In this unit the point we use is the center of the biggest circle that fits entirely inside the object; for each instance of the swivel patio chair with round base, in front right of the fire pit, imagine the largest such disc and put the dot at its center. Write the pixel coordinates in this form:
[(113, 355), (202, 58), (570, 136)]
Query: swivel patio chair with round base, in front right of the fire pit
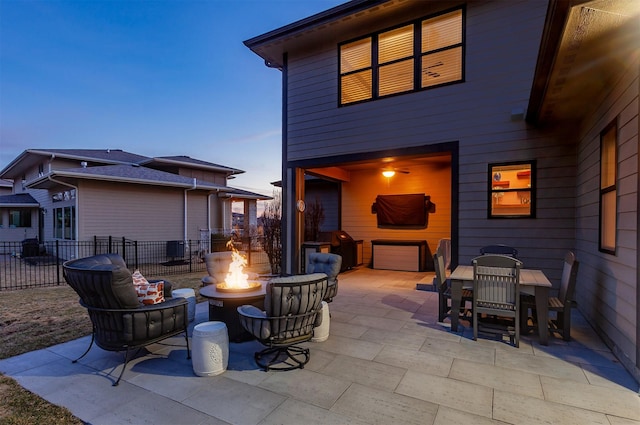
[(291, 308)]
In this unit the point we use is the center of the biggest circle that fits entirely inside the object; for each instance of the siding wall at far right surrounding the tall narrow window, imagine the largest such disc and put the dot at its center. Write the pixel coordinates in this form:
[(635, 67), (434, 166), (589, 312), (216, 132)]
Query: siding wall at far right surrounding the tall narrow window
[(607, 285)]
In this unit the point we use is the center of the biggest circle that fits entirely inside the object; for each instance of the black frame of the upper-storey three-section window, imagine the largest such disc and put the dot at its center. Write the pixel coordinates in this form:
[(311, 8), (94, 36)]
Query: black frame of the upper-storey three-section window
[(417, 58)]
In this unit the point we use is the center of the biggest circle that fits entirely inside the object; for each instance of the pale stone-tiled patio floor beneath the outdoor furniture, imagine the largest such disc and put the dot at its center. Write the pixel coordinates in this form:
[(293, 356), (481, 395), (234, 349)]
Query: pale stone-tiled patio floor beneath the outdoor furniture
[(387, 361)]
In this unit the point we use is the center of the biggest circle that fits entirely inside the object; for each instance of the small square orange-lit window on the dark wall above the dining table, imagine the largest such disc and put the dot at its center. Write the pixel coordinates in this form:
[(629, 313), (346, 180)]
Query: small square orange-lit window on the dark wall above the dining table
[(512, 190)]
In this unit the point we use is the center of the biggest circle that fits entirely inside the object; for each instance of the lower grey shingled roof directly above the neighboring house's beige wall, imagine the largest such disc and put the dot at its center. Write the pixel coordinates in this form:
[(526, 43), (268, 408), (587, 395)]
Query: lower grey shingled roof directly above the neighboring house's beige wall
[(123, 173)]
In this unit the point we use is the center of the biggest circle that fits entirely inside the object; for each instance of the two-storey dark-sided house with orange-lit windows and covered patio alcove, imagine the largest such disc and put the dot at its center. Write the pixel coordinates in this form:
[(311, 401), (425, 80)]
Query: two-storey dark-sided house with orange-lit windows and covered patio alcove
[(518, 118)]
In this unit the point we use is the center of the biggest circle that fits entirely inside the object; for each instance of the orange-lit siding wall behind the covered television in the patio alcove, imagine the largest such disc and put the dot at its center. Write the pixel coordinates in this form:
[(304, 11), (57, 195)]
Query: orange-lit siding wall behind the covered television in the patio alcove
[(360, 193)]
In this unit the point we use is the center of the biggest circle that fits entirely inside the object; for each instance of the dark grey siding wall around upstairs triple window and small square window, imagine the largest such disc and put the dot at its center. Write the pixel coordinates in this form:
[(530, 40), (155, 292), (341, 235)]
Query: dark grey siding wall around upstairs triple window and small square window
[(476, 113)]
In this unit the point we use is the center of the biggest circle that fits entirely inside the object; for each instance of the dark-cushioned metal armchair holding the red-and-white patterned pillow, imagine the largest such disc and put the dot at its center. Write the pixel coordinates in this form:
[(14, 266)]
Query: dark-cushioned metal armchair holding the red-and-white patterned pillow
[(120, 322)]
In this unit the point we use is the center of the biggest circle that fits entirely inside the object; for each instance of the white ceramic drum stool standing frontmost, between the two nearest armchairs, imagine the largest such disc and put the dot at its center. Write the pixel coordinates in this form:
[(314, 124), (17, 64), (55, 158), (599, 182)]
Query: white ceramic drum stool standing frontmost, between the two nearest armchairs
[(210, 351)]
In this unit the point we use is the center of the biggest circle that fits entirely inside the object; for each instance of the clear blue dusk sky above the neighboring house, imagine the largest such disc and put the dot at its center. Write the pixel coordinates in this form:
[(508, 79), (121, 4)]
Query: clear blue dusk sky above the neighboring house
[(155, 78)]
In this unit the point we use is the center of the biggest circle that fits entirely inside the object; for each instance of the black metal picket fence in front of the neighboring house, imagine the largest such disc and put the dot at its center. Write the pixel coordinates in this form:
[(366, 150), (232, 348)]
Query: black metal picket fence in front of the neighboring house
[(30, 264)]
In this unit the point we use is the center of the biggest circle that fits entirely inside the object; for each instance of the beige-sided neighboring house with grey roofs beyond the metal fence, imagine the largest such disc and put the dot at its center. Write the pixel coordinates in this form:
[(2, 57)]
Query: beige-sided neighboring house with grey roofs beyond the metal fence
[(76, 194)]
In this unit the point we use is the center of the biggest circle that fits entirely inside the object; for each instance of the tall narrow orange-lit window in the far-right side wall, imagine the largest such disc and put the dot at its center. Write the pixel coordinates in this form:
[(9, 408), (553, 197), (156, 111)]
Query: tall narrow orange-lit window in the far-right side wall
[(608, 192)]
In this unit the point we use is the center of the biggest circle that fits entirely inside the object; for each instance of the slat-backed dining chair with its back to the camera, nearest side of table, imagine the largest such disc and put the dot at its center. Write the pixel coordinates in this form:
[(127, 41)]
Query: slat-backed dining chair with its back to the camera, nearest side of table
[(496, 292)]
